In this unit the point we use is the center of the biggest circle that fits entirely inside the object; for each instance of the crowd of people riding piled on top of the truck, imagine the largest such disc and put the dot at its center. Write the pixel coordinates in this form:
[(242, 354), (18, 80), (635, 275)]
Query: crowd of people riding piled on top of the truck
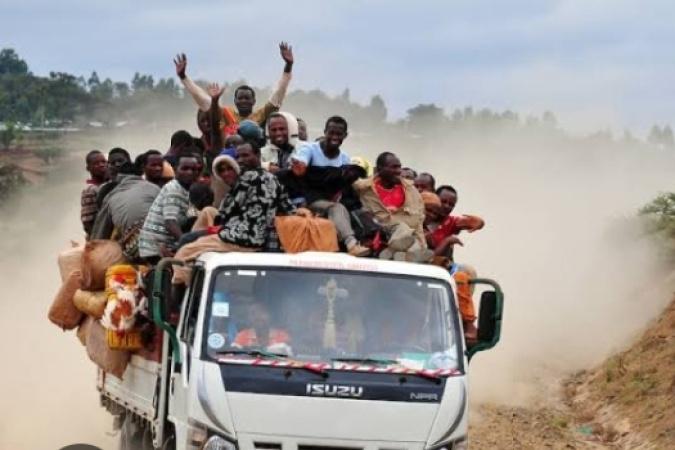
[(221, 191)]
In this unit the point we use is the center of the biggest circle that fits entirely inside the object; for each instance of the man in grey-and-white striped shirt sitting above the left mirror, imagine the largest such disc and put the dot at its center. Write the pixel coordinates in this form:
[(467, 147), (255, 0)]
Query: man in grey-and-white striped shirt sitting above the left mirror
[(161, 230)]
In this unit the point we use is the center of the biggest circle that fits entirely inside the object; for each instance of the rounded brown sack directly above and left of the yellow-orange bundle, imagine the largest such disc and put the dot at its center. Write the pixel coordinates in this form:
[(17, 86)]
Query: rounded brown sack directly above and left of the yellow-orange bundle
[(98, 255)]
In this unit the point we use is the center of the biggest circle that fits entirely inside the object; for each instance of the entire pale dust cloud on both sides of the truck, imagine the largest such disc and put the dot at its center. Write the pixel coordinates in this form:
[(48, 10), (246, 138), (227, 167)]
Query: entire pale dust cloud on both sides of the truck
[(580, 278)]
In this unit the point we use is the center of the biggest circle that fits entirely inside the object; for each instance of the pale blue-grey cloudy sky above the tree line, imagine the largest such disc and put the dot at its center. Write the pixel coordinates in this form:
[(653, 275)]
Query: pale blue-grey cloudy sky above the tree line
[(596, 64)]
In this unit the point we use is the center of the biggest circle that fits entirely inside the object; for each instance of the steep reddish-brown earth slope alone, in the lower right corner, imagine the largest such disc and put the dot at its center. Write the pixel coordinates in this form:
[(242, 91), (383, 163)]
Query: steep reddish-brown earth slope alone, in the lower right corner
[(632, 394)]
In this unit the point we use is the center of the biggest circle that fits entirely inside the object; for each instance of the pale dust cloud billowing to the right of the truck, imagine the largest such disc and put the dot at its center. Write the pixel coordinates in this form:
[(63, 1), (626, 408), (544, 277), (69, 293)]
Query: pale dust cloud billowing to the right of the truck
[(581, 279)]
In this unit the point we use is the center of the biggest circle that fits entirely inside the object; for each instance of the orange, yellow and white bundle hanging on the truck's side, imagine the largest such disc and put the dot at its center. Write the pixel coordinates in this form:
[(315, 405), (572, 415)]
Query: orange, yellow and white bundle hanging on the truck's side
[(125, 301)]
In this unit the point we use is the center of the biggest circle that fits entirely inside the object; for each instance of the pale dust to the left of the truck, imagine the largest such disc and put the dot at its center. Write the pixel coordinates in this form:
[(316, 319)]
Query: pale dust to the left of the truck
[(48, 384)]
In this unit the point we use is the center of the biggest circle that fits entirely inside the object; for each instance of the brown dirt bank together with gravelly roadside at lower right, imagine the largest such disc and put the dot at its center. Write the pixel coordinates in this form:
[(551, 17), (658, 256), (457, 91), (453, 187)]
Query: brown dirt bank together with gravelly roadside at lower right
[(627, 402)]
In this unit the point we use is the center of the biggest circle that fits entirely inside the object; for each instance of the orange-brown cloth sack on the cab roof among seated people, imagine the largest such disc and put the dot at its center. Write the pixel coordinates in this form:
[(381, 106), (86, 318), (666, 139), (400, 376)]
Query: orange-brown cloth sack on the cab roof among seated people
[(302, 233)]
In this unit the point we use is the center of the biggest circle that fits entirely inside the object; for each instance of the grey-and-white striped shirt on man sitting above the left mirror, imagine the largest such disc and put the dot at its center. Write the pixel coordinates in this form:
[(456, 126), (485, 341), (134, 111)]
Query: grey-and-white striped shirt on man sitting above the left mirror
[(171, 204)]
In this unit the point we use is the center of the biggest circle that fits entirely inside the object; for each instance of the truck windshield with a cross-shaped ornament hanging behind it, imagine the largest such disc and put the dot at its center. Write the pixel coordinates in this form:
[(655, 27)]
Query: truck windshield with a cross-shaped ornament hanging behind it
[(331, 318)]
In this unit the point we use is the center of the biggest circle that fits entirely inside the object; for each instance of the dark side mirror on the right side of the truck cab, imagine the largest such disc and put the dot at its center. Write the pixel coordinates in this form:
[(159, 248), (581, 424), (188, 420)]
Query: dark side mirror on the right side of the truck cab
[(489, 317)]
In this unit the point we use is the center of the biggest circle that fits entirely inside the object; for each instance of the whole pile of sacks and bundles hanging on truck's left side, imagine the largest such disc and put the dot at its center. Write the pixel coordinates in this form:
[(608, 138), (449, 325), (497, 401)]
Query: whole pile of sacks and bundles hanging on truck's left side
[(104, 298)]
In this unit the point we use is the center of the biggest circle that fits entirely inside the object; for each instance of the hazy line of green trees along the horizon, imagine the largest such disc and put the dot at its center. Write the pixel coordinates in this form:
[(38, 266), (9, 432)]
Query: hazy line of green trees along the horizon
[(64, 99)]
